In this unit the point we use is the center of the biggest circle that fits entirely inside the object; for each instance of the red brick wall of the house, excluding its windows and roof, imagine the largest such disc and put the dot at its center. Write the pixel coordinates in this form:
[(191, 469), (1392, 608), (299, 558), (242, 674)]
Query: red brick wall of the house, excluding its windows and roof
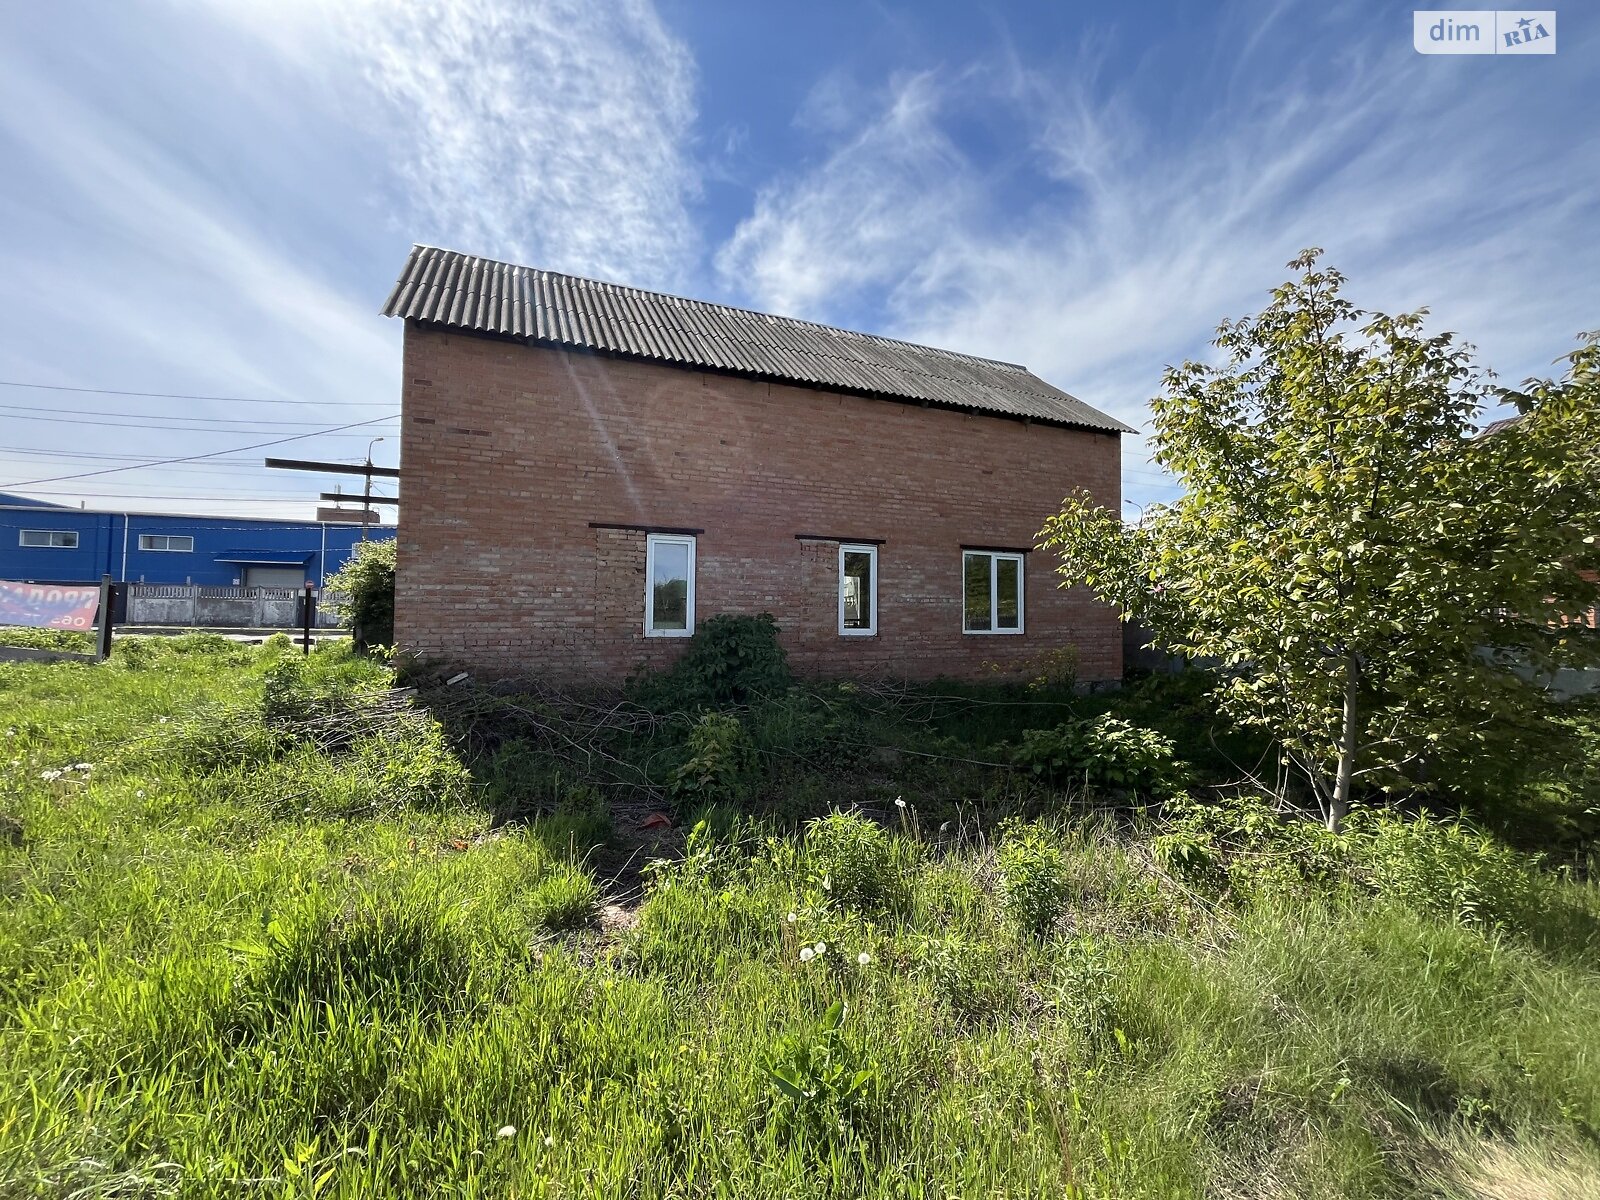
[(511, 454)]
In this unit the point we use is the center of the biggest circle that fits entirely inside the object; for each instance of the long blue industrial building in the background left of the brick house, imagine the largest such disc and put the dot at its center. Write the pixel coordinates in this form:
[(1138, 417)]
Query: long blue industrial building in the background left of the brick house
[(50, 543)]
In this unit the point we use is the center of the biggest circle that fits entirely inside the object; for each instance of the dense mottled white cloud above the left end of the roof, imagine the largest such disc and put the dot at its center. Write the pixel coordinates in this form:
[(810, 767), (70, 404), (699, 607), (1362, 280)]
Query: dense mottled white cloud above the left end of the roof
[(553, 134)]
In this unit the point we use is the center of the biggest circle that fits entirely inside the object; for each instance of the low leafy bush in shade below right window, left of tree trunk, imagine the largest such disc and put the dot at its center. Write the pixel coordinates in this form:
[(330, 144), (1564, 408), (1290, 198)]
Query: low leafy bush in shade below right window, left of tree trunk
[(1103, 753)]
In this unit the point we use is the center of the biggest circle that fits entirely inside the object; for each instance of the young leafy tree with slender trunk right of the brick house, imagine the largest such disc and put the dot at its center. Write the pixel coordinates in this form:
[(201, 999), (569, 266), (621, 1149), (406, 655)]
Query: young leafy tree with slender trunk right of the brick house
[(1382, 586)]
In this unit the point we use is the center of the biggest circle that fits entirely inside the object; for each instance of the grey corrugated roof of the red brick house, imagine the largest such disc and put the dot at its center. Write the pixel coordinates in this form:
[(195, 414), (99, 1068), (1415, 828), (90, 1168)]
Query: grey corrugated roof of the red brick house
[(463, 292)]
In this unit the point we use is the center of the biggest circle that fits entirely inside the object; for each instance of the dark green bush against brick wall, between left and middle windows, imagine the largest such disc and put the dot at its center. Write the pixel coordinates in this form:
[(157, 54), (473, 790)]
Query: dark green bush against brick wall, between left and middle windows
[(730, 660)]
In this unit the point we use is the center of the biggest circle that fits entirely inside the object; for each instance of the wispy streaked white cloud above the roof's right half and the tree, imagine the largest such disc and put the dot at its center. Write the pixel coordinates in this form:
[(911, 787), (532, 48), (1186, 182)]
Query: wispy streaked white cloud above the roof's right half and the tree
[(1430, 186)]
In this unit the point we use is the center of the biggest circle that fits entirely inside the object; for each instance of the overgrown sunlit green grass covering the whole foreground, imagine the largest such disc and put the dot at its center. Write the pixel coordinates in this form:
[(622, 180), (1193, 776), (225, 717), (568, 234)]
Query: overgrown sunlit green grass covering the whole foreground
[(238, 958)]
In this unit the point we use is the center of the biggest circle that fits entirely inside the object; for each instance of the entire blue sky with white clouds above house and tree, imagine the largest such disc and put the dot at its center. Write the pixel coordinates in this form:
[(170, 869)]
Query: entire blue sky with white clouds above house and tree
[(214, 198)]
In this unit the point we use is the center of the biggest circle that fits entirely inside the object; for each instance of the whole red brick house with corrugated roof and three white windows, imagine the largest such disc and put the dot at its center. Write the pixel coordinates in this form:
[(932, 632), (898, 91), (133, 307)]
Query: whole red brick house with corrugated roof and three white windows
[(591, 470)]
